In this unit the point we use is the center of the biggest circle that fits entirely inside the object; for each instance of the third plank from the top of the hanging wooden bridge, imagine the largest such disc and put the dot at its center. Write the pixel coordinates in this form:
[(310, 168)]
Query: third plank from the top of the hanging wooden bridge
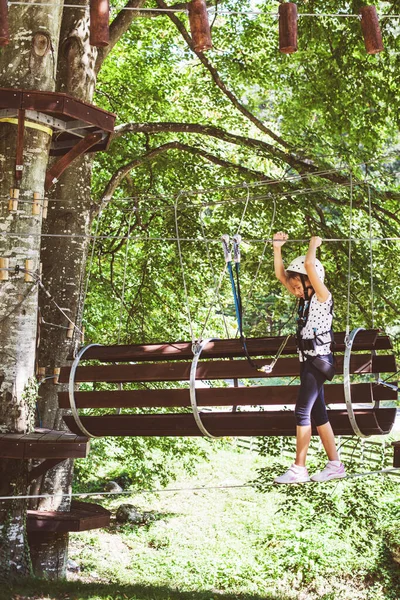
[(226, 396)]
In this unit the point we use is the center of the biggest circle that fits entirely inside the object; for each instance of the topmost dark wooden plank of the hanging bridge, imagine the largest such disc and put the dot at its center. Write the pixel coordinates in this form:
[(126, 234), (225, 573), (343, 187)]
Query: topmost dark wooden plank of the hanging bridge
[(266, 346)]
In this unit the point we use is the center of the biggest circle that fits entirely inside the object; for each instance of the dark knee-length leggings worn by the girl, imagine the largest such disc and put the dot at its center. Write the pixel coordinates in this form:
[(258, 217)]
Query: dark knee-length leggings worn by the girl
[(310, 401)]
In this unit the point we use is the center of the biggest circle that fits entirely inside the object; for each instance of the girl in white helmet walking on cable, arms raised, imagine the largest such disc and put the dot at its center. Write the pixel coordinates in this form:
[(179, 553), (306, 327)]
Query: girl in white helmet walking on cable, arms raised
[(304, 278)]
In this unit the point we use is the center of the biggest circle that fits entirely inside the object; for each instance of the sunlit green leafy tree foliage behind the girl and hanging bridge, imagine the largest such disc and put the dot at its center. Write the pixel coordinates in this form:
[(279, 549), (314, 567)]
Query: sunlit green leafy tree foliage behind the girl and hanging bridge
[(330, 105)]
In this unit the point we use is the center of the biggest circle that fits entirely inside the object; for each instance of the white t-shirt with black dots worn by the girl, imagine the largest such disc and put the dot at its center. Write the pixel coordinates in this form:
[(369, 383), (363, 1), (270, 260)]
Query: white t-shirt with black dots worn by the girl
[(319, 321)]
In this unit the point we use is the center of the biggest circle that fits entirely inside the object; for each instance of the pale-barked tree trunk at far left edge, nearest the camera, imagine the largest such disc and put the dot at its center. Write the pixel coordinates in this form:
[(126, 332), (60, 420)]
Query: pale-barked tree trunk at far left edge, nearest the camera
[(27, 63)]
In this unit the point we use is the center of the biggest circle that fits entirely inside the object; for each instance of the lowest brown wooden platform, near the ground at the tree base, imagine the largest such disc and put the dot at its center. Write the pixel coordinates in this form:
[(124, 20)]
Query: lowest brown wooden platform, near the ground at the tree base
[(82, 517)]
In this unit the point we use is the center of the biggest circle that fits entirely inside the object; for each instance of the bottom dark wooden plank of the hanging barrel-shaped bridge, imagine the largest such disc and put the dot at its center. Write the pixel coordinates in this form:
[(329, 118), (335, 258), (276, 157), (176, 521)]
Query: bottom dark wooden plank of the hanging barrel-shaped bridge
[(266, 423)]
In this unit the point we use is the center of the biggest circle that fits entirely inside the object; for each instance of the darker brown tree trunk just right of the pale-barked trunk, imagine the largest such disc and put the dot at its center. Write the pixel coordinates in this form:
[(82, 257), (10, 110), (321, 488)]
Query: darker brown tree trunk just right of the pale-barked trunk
[(64, 263)]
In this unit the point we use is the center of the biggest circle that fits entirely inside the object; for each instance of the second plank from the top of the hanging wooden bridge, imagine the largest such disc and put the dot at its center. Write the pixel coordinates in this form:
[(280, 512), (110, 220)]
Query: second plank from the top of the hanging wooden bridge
[(217, 369)]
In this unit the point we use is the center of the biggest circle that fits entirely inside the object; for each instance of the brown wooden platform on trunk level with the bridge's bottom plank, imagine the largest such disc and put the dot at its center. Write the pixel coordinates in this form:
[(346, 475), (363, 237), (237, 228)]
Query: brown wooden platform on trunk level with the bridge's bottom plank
[(44, 443)]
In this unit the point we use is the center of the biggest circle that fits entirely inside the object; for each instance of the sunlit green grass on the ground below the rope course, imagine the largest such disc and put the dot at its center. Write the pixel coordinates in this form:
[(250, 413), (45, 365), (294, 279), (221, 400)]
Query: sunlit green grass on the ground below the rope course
[(230, 543)]
